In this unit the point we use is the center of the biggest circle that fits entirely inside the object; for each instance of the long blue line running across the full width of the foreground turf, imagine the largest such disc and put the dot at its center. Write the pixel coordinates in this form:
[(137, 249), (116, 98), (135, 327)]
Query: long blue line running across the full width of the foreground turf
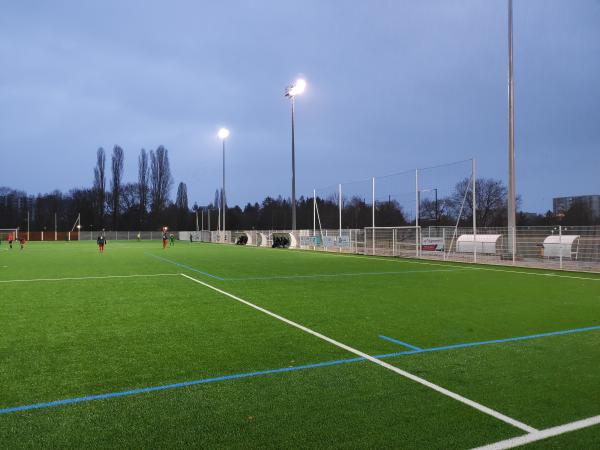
[(280, 370)]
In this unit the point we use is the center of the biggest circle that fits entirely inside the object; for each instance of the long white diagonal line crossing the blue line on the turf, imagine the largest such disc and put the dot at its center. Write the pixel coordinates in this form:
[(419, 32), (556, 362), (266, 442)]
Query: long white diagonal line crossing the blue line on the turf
[(408, 375)]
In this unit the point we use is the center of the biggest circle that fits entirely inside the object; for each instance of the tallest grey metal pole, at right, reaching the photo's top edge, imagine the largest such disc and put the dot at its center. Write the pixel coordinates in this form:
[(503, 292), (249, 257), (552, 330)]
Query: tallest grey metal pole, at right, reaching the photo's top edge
[(512, 215)]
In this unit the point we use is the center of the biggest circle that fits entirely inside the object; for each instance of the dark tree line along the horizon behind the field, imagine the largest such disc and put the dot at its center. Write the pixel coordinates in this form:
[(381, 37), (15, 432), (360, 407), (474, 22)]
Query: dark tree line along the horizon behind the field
[(146, 204)]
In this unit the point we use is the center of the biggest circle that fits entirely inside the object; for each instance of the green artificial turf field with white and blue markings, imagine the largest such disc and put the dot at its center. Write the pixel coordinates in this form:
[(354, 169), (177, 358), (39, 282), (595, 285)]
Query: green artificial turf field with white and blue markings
[(121, 350)]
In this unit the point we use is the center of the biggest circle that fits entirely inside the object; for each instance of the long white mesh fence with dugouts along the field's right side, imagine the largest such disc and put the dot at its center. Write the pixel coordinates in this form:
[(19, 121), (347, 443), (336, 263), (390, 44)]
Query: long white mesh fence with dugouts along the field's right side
[(552, 247)]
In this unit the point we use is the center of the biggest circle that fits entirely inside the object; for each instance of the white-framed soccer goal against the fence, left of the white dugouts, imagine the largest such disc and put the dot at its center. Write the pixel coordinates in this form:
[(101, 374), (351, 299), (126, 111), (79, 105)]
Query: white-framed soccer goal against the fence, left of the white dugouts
[(392, 241)]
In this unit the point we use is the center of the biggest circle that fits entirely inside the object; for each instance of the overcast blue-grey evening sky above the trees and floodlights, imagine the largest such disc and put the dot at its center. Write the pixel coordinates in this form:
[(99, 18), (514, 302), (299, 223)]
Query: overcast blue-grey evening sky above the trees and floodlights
[(392, 85)]
